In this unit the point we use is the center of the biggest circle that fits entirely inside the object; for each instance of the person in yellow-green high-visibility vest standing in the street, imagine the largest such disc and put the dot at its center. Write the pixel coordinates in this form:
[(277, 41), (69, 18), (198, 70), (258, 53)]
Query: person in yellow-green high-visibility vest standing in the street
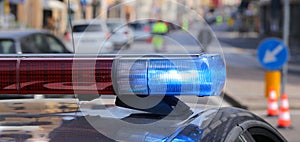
[(159, 29)]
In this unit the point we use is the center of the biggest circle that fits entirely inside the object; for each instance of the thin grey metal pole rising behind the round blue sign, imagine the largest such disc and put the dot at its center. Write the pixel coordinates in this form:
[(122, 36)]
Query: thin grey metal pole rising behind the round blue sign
[(286, 33)]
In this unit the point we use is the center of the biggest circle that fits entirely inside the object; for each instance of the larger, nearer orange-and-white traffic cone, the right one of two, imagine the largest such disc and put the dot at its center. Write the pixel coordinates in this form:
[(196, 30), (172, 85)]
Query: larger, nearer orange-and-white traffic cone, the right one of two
[(284, 119)]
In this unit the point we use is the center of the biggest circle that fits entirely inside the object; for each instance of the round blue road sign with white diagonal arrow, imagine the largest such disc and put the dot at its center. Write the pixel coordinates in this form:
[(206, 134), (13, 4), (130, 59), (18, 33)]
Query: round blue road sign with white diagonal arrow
[(272, 54)]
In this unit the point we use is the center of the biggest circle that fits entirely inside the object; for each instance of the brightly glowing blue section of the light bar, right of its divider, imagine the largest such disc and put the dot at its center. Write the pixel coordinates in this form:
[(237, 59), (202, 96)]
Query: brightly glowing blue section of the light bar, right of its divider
[(177, 76)]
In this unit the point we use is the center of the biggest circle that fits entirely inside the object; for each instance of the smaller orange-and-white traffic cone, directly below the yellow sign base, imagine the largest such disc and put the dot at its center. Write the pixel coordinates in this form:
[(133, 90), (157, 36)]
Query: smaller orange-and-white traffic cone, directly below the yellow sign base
[(272, 109)]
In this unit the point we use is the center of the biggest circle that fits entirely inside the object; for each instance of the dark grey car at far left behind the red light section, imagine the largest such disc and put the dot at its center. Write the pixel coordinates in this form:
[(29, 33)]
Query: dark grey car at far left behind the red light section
[(30, 41)]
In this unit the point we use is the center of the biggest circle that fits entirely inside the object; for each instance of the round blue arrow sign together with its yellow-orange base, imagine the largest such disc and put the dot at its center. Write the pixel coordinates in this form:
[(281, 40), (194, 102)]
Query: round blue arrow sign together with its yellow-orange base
[(273, 55)]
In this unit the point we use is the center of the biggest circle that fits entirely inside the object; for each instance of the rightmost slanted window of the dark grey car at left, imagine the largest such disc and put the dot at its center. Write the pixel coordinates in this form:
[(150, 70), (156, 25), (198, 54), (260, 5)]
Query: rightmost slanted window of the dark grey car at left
[(54, 45)]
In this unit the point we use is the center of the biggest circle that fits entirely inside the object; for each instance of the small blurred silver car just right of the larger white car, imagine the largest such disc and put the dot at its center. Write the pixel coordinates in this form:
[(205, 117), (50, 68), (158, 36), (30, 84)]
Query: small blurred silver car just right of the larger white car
[(121, 33)]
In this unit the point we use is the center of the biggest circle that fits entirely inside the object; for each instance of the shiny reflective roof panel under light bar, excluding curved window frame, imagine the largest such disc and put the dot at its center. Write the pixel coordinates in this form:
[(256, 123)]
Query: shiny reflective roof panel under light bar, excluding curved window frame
[(71, 120)]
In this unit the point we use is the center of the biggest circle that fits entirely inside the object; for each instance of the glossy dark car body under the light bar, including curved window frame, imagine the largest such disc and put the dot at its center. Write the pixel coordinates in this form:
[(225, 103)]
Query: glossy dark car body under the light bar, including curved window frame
[(62, 120)]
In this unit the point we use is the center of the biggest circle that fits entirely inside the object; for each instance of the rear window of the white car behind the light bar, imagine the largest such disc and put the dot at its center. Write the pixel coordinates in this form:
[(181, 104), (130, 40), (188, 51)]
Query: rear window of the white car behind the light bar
[(87, 28)]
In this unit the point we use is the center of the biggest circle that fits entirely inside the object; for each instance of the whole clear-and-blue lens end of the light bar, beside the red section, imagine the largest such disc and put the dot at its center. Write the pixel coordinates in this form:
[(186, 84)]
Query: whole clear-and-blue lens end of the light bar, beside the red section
[(200, 76)]
